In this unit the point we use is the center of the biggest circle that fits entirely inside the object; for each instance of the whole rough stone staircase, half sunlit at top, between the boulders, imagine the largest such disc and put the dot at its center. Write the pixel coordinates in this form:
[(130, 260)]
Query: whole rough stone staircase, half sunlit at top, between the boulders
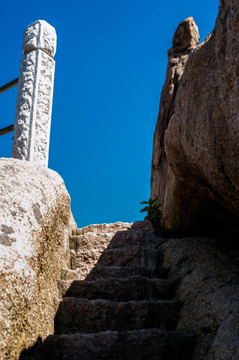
[(121, 305)]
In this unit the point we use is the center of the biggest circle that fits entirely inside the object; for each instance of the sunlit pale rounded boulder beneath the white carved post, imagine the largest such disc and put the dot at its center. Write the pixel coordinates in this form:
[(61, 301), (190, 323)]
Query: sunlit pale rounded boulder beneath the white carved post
[(35, 221)]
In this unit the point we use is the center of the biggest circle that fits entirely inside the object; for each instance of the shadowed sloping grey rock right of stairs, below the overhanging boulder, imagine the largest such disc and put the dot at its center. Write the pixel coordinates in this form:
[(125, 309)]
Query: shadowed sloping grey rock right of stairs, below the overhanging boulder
[(208, 272)]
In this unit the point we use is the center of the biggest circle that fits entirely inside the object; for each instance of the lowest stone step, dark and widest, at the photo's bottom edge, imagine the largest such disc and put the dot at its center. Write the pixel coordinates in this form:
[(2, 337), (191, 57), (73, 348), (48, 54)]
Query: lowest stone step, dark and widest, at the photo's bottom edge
[(150, 344)]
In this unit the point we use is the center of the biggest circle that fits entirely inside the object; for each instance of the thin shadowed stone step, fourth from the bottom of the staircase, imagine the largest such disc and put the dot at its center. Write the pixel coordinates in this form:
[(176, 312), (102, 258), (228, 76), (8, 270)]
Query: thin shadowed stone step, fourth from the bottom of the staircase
[(123, 272)]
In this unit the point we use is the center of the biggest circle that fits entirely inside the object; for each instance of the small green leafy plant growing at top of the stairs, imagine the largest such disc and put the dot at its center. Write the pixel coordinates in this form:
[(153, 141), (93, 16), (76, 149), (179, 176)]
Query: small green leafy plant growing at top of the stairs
[(154, 213)]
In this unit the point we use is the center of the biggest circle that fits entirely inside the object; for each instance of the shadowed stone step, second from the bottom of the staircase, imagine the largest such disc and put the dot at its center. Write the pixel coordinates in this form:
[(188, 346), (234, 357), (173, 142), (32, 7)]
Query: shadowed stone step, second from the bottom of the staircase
[(83, 315)]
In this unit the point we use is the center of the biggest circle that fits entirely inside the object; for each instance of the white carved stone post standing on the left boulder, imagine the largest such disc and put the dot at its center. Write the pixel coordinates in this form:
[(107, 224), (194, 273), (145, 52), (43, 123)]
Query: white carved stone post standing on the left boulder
[(35, 91)]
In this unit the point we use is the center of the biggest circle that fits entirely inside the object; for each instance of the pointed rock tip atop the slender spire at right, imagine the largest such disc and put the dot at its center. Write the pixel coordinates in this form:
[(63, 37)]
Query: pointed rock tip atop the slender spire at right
[(186, 35)]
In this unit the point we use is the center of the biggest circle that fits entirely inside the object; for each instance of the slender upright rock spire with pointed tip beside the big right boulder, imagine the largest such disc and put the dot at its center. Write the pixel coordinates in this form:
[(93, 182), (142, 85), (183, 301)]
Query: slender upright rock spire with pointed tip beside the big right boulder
[(185, 39)]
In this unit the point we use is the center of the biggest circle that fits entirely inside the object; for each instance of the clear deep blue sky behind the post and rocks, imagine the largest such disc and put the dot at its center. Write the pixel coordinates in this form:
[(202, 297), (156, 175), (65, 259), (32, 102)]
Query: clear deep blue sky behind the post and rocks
[(111, 63)]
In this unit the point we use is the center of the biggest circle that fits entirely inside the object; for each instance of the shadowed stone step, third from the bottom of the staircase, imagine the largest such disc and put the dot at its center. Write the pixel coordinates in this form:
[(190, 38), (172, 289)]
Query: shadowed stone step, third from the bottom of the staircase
[(117, 289)]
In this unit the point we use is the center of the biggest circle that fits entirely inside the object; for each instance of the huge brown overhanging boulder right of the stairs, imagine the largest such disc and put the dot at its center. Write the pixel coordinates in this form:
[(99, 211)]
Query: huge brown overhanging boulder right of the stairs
[(195, 166)]
